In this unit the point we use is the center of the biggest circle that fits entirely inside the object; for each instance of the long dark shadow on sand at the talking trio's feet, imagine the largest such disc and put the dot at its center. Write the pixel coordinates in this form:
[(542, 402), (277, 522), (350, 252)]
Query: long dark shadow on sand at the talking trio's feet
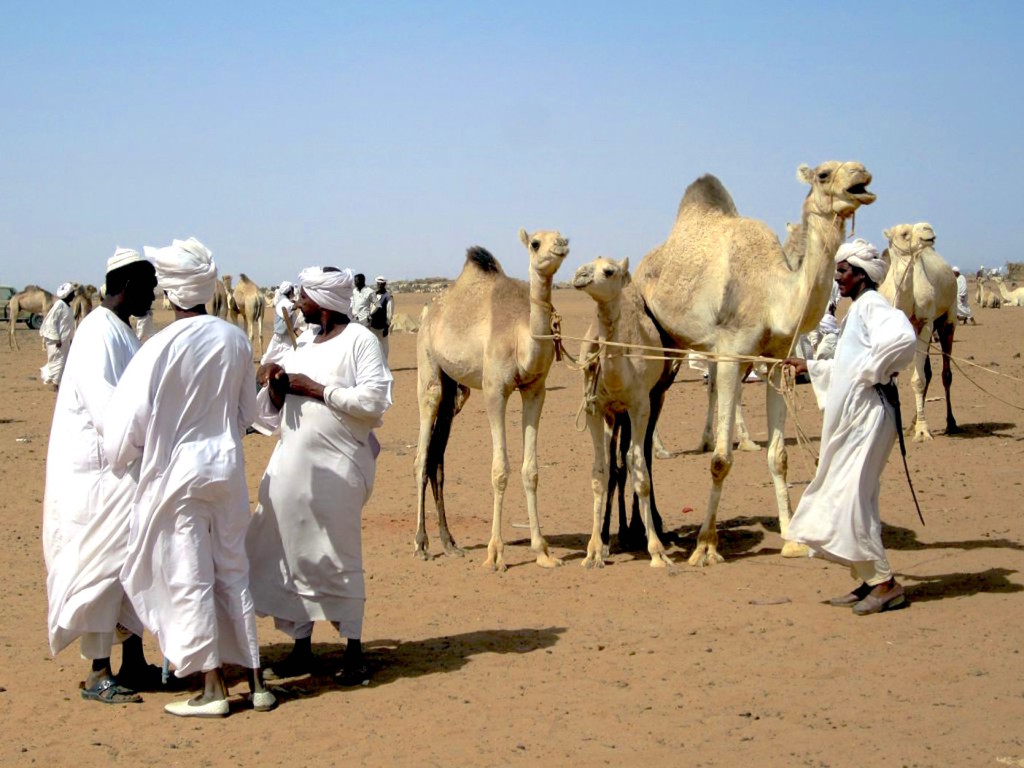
[(394, 660)]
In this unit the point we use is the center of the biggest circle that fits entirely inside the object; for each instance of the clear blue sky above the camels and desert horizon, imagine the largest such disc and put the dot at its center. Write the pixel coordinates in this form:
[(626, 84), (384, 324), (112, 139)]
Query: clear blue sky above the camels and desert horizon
[(391, 137)]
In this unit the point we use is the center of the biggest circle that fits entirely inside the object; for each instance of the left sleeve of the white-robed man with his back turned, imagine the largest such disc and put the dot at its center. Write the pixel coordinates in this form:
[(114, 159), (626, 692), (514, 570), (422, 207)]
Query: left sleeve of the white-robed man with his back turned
[(127, 416)]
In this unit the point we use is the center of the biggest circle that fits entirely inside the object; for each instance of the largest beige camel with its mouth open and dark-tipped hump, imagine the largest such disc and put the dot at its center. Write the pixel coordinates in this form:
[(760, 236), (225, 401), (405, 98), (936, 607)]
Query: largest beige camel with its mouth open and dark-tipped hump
[(721, 284)]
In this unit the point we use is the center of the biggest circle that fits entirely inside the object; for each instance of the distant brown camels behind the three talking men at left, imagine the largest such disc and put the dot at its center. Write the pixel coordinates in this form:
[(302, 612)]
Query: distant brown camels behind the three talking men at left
[(244, 302)]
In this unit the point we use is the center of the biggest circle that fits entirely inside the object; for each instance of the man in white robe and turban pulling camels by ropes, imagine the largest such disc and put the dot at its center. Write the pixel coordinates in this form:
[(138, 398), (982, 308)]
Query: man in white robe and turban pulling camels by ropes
[(838, 517)]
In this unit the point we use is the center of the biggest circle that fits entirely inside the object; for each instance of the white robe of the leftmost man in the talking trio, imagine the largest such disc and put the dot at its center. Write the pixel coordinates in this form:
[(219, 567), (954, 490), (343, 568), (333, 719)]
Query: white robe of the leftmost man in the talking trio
[(87, 508)]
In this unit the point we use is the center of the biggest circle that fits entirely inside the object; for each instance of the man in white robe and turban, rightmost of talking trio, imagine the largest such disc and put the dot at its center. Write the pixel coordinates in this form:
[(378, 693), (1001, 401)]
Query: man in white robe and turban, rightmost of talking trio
[(306, 541)]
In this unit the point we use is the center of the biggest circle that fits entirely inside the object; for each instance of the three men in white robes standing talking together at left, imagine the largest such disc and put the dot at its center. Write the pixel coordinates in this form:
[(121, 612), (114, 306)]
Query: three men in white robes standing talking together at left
[(147, 518)]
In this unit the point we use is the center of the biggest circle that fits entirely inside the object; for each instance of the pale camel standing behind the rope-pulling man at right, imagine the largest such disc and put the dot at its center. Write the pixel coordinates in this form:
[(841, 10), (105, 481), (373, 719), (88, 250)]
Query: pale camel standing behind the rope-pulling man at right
[(927, 295)]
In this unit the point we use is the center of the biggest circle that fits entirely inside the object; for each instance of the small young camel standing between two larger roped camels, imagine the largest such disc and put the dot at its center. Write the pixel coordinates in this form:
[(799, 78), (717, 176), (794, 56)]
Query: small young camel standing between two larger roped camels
[(616, 383)]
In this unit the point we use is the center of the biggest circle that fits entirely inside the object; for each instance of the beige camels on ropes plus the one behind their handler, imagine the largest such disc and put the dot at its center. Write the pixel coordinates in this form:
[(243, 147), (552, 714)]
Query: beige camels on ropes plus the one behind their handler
[(721, 285)]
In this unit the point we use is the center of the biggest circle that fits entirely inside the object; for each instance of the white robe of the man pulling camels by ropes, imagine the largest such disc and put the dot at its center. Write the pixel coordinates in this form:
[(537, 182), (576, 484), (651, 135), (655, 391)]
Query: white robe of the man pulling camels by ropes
[(838, 516)]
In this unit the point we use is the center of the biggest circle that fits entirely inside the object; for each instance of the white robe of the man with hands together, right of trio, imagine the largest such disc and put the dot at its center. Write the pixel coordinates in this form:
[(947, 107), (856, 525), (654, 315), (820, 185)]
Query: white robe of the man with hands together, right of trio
[(306, 540)]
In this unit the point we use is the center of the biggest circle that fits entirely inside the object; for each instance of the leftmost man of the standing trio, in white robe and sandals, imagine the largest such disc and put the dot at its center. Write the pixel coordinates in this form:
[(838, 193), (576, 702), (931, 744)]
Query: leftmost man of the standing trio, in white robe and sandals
[(86, 508)]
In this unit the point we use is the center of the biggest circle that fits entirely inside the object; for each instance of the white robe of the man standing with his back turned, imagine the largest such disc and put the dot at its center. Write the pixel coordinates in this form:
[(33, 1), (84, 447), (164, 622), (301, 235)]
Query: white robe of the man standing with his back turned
[(181, 411)]
